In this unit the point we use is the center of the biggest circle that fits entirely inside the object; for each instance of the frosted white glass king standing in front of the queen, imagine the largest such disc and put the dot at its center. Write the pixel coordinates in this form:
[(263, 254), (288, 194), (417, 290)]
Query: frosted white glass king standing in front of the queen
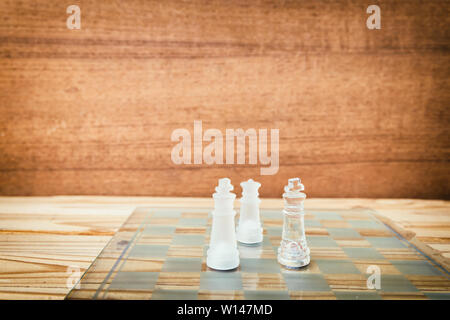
[(223, 253)]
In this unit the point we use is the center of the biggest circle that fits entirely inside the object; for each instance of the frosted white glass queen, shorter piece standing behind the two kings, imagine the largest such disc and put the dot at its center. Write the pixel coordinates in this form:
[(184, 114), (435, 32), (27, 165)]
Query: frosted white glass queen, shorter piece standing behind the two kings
[(249, 230)]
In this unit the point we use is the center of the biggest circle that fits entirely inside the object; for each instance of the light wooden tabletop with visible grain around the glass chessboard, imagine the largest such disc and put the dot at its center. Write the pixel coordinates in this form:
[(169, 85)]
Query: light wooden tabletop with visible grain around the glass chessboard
[(40, 237)]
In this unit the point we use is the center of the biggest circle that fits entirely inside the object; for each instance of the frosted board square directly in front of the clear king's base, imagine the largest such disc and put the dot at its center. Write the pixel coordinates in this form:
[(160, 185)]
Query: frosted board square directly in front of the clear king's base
[(306, 282)]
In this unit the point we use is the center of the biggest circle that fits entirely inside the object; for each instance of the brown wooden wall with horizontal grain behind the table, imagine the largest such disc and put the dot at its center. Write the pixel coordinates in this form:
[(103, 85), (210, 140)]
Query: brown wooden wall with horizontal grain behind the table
[(361, 113)]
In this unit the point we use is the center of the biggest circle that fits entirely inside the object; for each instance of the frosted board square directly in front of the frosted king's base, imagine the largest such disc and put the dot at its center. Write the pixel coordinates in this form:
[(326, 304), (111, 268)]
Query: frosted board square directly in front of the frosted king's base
[(220, 280)]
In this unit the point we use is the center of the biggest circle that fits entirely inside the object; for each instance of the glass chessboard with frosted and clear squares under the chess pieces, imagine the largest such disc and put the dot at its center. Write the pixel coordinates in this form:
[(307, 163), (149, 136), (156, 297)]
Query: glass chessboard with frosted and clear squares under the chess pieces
[(161, 254)]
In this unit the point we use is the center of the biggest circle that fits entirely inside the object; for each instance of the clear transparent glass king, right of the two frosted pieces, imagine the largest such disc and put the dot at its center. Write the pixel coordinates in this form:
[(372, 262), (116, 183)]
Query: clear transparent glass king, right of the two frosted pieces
[(293, 251)]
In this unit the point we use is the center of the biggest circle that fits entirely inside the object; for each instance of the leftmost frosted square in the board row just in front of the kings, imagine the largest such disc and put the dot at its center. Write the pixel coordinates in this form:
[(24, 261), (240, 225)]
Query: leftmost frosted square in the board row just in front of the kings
[(134, 281)]
